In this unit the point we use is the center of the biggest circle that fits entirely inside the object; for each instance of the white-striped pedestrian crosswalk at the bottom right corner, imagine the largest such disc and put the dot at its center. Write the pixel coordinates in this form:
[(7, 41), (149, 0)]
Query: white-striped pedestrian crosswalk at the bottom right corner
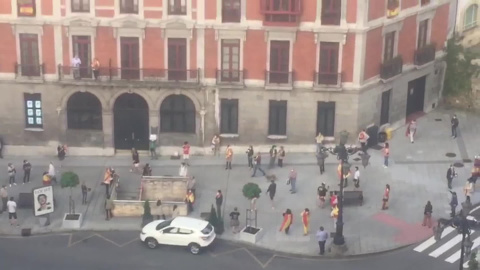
[(448, 248)]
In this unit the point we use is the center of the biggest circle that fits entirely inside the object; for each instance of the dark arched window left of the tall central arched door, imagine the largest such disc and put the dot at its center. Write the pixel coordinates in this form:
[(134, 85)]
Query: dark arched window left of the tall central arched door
[(84, 112)]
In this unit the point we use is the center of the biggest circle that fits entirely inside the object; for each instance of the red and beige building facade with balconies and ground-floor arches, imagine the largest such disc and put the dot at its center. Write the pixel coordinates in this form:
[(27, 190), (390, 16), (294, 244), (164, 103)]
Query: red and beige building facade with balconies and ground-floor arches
[(257, 72)]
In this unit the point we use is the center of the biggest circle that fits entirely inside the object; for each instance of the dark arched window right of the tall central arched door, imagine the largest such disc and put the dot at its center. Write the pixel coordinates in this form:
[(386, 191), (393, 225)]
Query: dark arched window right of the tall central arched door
[(177, 114)]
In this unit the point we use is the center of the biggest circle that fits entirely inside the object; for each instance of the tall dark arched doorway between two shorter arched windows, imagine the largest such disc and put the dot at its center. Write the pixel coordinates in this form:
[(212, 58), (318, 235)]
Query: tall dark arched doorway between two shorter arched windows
[(130, 114)]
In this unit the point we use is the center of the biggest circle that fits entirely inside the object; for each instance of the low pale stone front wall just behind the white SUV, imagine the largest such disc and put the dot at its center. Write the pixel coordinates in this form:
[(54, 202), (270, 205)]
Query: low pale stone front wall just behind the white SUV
[(135, 208)]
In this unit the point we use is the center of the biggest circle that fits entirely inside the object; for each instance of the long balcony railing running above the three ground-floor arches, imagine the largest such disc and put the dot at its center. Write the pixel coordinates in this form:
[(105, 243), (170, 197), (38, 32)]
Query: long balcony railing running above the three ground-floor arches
[(110, 74)]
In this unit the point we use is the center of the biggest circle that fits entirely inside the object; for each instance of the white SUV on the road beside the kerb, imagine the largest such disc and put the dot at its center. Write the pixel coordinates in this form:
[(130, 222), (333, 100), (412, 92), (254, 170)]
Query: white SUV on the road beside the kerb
[(180, 231)]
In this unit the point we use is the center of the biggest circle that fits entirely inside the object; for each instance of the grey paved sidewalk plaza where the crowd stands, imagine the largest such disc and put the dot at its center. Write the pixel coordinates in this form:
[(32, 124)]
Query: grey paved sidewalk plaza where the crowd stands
[(416, 175)]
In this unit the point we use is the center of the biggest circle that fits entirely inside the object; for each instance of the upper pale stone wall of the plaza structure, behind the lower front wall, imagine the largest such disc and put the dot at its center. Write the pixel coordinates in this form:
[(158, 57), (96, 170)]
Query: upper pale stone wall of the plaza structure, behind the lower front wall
[(164, 188)]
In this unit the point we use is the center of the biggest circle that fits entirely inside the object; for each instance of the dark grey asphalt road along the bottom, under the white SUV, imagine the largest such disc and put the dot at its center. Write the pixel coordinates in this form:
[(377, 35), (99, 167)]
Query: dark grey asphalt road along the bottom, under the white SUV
[(124, 251)]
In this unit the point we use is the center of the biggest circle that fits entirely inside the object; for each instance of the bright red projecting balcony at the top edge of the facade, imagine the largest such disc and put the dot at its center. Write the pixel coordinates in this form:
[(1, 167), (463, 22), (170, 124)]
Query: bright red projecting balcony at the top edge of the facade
[(285, 12)]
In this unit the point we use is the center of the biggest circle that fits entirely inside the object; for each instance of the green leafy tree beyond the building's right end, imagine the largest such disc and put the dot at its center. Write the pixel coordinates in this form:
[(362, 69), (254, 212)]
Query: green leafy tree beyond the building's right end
[(460, 69)]
